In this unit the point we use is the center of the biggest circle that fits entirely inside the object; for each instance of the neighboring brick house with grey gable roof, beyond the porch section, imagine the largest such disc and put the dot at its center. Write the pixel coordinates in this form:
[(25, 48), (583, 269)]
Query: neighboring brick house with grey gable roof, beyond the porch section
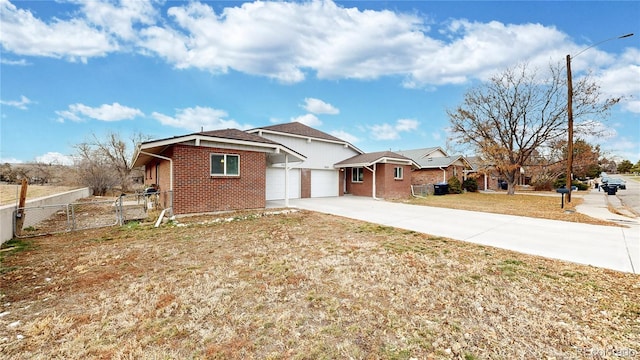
[(435, 166)]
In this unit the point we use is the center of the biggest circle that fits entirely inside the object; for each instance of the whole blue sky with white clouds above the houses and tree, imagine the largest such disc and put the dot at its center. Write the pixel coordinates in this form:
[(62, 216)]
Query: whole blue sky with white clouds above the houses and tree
[(379, 74)]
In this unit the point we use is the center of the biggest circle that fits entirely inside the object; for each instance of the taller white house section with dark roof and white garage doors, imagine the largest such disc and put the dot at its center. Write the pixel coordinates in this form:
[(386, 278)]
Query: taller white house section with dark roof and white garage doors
[(316, 176)]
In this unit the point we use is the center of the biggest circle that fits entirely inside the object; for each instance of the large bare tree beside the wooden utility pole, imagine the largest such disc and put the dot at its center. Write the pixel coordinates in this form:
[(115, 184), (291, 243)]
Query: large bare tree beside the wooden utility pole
[(518, 112)]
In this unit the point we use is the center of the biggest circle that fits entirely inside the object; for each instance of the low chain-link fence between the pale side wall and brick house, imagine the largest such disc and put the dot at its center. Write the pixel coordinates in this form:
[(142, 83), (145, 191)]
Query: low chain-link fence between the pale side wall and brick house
[(88, 214)]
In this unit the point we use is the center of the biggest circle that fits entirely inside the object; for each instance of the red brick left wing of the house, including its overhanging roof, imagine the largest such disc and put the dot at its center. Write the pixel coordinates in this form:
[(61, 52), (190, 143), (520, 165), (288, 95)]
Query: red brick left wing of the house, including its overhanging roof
[(212, 170)]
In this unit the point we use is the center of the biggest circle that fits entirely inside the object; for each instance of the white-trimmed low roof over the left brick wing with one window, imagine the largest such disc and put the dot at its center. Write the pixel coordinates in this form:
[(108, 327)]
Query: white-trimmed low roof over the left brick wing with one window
[(230, 137)]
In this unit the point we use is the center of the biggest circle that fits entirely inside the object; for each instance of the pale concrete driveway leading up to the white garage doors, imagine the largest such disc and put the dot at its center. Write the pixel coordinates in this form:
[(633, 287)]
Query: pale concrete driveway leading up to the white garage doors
[(608, 247)]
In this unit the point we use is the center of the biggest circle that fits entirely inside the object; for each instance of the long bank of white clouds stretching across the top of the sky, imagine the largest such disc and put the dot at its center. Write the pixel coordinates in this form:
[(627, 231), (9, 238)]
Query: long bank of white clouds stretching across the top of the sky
[(287, 41)]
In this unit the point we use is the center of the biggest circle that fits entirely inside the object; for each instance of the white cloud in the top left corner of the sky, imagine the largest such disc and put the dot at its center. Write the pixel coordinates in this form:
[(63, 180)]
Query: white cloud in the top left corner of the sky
[(24, 34)]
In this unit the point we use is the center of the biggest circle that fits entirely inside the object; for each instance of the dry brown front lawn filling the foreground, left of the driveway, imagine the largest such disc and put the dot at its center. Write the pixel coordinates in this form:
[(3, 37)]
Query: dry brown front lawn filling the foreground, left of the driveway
[(303, 285)]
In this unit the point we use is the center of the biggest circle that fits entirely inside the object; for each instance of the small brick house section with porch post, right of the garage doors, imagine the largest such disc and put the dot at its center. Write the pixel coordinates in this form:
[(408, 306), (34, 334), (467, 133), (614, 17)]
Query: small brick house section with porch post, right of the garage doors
[(380, 175)]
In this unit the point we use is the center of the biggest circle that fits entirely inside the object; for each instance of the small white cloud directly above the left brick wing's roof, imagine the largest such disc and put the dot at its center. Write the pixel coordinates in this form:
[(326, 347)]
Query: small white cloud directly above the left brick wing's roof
[(199, 118)]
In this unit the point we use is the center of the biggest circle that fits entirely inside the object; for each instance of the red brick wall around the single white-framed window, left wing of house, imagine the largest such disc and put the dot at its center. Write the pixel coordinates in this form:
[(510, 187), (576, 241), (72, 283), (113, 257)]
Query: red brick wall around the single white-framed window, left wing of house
[(195, 190)]
